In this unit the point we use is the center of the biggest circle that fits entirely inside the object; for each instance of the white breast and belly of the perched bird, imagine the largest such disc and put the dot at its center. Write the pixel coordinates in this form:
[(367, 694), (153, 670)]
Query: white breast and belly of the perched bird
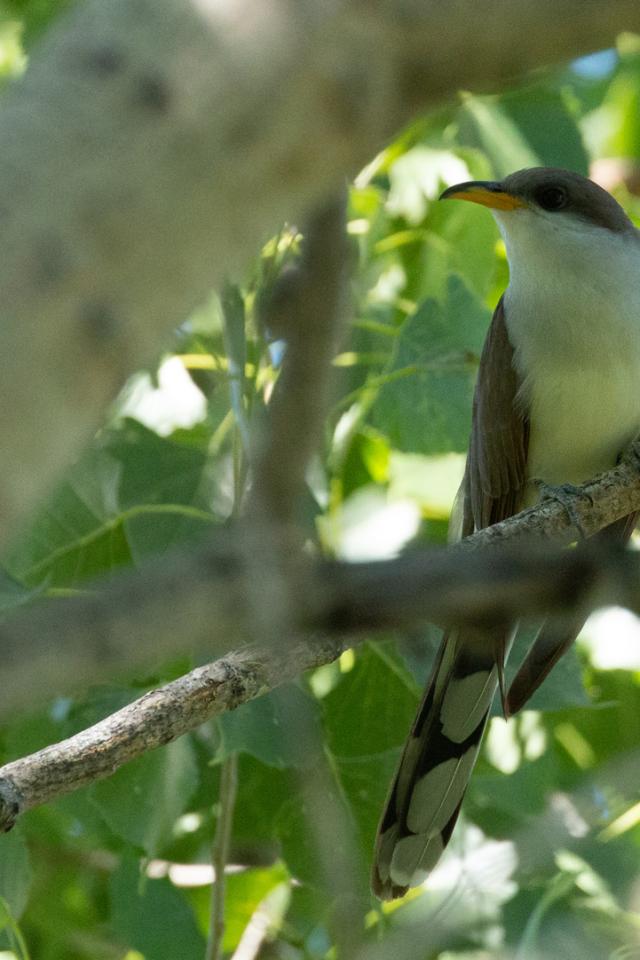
[(573, 314)]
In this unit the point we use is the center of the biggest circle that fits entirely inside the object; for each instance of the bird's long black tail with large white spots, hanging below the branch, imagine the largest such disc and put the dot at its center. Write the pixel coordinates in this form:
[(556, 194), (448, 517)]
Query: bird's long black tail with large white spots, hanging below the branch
[(439, 755)]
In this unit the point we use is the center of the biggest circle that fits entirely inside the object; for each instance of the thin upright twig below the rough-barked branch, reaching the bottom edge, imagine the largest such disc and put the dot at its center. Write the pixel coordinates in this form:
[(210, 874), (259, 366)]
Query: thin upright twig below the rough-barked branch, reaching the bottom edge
[(220, 854)]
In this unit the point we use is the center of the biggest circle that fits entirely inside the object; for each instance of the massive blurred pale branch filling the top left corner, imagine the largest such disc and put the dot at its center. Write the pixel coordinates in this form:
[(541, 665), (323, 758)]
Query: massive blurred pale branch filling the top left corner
[(153, 143)]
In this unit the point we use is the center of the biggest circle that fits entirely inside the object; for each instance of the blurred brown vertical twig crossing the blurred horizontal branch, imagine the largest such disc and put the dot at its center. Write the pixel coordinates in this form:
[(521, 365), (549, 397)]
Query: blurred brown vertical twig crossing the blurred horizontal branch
[(306, 309)]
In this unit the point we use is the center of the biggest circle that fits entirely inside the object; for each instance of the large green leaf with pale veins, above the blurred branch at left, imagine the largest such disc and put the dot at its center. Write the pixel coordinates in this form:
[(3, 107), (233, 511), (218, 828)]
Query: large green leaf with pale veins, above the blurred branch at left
[(132, 497)]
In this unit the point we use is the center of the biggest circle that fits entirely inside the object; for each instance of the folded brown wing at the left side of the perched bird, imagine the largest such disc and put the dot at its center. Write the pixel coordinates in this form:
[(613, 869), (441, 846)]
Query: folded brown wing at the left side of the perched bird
[(495, 476)]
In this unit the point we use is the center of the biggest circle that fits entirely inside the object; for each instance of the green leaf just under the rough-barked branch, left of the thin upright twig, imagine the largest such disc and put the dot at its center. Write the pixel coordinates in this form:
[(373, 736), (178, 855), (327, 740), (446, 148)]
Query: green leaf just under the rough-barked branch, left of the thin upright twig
[(143, 799)]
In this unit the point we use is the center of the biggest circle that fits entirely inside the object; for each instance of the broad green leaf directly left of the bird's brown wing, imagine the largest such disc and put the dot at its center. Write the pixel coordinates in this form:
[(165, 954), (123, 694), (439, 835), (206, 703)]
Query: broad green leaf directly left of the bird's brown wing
[(427, 408)]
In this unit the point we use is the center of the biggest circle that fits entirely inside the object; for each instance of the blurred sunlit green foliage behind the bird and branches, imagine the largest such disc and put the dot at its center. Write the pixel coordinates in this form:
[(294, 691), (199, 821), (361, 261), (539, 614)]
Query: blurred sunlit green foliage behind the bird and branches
[(545, 862)]
